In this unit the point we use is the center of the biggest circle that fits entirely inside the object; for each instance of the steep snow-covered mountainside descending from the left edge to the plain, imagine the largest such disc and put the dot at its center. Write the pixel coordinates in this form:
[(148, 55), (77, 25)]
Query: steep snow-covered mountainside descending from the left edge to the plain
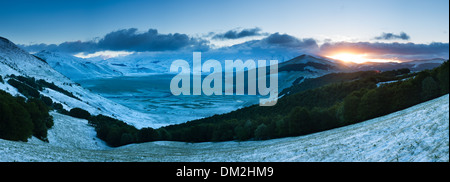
[(14, 60)]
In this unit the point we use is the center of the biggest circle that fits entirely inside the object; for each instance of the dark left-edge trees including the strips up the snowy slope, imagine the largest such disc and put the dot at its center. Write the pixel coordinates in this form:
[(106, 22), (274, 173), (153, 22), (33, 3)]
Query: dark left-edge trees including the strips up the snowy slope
[(21, 118)]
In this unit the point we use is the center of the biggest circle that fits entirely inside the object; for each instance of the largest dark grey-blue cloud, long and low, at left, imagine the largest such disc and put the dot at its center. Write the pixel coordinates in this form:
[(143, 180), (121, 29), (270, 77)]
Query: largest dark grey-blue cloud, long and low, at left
[(128, 40)]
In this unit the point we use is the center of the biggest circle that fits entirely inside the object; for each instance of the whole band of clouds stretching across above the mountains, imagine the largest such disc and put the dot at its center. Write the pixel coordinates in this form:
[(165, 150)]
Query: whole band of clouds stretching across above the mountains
[(152, 40)]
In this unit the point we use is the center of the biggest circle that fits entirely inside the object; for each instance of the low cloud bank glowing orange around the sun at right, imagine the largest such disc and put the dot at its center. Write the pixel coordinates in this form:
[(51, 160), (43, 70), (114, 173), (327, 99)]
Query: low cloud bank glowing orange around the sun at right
[(405, 51)]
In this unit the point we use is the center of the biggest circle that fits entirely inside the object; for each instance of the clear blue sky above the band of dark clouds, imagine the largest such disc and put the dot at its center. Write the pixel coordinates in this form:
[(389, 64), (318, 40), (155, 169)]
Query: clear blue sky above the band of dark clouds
[(54, 21)]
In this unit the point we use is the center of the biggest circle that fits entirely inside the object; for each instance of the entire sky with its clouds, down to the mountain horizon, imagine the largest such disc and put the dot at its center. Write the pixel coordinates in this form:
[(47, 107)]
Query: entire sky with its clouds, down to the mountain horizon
[(138, 25)]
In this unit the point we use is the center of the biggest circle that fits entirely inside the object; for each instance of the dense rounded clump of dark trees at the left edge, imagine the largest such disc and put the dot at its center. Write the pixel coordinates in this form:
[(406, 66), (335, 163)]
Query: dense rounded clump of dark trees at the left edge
[(20, 119)]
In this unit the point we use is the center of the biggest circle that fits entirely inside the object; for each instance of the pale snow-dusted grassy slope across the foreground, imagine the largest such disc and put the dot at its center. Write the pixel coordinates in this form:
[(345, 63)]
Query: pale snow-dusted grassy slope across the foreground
[(419, 133)]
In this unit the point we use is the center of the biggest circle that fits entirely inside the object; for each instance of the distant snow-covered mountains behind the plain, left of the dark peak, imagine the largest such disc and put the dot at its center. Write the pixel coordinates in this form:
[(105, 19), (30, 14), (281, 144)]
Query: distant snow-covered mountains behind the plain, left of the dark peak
[(136, 64)]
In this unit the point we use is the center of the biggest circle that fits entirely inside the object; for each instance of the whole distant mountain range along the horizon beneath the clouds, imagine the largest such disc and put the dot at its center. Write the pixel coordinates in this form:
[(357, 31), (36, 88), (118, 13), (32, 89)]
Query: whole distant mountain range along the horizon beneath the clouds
[(145, 63)]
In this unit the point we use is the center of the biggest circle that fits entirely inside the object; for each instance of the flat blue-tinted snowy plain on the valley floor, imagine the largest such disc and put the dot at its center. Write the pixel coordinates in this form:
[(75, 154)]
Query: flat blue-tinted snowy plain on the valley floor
[(151, 94)]
